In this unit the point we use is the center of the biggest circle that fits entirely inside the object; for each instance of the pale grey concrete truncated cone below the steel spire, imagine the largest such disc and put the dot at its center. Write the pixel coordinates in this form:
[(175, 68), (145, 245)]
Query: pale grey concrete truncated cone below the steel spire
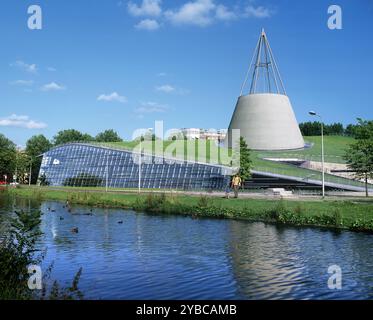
[(267, 122)]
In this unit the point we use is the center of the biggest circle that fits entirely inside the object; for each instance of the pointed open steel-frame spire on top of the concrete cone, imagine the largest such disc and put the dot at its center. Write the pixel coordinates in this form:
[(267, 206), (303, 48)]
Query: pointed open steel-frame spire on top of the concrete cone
[(265, 76)]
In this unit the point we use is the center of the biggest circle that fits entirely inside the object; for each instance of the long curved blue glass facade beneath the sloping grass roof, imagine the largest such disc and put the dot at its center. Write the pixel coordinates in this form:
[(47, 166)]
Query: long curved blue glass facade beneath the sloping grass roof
[(79, 164)]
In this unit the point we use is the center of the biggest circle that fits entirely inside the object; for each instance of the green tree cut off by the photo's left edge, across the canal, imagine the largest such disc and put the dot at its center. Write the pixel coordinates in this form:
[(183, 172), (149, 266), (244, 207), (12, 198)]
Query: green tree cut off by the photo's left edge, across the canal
[(7, 157)]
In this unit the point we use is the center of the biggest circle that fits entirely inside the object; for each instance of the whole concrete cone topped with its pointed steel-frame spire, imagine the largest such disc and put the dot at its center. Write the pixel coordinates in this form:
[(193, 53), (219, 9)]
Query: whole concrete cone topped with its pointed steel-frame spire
[(265, 116)]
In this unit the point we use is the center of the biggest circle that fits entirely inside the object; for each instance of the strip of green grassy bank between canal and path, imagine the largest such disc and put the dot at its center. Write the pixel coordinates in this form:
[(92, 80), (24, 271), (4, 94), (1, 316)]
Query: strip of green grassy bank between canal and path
[(354, 215)]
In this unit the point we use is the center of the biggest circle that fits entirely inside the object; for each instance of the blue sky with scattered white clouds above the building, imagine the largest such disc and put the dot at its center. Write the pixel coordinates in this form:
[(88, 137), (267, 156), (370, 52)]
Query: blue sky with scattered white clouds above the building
[(117, 64)]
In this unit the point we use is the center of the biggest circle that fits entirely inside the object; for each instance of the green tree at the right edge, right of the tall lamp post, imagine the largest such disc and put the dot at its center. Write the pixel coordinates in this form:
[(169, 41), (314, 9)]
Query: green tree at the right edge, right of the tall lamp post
[(359, 155)]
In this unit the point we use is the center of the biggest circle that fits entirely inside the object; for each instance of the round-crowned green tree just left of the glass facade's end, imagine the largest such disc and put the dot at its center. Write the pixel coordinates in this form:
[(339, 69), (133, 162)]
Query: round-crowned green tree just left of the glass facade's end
[(35, 147)]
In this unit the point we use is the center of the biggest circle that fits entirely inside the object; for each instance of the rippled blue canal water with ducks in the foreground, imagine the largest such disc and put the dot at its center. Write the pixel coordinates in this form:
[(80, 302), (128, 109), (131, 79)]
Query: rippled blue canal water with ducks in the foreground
[(128, 255)]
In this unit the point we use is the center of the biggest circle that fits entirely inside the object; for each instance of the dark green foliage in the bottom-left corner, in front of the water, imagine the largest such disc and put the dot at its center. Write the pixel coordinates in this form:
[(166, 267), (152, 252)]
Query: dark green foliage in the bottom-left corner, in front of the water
[(17, 253)]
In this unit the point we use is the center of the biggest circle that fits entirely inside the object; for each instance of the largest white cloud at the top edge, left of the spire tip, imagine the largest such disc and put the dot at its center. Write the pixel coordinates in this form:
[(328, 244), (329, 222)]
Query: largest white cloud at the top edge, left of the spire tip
[(199, 12)]
